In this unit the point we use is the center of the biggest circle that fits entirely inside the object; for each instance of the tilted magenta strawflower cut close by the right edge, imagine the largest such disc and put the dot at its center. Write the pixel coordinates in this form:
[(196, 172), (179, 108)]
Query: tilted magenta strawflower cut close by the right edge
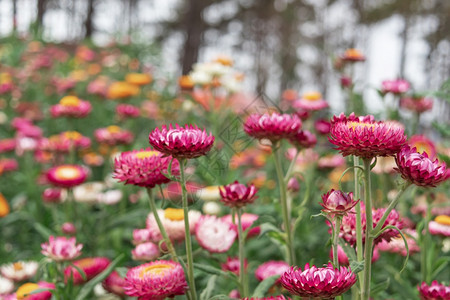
[(419, 169)]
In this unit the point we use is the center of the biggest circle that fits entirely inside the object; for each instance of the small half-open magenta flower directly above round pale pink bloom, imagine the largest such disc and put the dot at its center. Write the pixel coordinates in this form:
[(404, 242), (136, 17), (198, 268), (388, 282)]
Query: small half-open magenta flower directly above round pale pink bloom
[(237, 194)]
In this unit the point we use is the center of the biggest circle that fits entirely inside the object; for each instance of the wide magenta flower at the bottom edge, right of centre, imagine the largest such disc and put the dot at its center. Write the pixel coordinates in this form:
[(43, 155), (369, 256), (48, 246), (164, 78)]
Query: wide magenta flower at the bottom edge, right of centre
[(324, 283)]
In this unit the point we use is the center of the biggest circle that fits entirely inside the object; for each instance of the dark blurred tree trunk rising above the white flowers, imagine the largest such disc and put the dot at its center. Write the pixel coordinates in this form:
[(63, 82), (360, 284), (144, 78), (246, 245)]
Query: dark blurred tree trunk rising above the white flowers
[(194, 29)]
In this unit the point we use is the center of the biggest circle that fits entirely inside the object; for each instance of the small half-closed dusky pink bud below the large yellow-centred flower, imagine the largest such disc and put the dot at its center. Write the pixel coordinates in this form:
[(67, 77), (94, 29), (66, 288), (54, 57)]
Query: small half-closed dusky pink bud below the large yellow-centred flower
[(337, 203)]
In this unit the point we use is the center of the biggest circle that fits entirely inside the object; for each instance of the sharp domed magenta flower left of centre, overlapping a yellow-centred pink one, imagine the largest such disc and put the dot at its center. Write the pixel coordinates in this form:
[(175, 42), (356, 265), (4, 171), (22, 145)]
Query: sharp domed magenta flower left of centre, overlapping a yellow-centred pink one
[(181, 142)]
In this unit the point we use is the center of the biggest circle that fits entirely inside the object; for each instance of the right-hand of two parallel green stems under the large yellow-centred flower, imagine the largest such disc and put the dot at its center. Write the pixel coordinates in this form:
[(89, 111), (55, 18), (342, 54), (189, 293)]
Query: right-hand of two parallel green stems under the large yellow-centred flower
[(369, 229)]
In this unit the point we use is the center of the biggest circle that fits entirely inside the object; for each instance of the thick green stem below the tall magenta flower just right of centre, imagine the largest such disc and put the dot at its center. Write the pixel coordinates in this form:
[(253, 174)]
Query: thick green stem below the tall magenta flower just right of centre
[(284, 206)]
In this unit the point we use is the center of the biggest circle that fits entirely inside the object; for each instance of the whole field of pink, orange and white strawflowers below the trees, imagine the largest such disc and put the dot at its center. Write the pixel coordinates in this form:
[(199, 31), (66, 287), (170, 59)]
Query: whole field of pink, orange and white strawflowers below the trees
[(119, 181)]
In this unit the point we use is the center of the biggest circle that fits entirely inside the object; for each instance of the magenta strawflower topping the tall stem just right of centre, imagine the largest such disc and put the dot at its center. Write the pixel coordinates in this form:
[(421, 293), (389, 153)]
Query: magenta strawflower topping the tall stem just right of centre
[(273, 127)]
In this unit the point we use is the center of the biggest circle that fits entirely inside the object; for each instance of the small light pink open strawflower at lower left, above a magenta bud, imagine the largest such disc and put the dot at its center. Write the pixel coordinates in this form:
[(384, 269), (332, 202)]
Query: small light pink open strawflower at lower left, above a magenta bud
[(61, 248)]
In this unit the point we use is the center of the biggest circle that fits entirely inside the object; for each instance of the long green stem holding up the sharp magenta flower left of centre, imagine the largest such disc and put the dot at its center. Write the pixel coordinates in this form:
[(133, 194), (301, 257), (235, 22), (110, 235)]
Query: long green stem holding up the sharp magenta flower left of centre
[(190, 260)]
